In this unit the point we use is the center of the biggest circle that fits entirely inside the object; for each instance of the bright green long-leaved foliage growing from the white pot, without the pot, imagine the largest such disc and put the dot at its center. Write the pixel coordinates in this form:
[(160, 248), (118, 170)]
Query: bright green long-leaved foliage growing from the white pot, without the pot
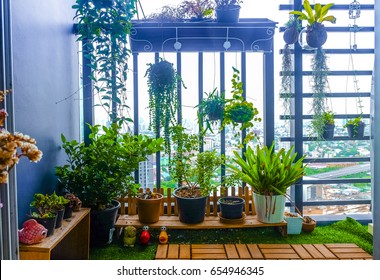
[(267, 171)]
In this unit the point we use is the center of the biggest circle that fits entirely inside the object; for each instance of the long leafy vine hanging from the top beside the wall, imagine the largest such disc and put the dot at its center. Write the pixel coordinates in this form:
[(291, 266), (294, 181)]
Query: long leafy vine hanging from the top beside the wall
[(103, 28)]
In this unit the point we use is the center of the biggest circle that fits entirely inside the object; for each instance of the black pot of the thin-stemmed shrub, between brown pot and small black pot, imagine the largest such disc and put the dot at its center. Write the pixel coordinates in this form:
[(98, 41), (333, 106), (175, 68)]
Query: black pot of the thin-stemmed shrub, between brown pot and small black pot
[(191, 210)]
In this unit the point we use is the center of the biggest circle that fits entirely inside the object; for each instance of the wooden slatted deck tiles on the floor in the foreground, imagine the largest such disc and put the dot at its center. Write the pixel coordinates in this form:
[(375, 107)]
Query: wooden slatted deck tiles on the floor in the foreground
[(261, 251)]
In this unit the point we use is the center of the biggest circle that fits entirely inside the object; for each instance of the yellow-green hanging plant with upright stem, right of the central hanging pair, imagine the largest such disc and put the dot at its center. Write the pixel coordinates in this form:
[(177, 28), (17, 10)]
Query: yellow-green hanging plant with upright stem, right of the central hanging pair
[(239, 112)]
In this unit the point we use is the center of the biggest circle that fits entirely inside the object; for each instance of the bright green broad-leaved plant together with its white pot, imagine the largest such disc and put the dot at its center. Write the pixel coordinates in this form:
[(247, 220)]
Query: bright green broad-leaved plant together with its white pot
[(270, 174)]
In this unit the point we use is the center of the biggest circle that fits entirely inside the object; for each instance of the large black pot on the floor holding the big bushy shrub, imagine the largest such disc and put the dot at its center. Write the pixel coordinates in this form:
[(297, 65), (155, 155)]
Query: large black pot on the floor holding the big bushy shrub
[(102, 224)]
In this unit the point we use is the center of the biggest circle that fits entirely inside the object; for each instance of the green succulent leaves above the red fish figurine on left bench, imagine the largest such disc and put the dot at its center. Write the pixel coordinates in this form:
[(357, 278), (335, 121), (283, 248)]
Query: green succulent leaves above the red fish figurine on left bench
[(46, 204)]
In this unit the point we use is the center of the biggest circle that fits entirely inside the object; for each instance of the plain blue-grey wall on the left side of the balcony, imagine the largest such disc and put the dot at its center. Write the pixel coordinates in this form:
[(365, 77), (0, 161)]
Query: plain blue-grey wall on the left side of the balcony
[(45, 88)]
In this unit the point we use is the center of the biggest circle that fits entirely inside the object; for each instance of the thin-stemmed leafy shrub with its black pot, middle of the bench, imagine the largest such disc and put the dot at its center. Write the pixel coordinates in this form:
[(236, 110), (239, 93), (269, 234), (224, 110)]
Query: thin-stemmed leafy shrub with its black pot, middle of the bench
[(194, 171)]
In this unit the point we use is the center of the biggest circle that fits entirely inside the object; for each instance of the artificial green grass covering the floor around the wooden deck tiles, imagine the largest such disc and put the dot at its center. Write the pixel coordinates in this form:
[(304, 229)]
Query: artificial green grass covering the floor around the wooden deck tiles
[(346, 231)]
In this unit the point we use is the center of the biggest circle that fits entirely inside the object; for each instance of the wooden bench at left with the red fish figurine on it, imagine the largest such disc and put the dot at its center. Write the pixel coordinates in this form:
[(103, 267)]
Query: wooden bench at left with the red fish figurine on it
[(71, 241)]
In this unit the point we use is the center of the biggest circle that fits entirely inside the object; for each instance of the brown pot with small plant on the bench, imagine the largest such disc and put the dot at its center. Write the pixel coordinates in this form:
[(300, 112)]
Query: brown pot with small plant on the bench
[(149, 206)]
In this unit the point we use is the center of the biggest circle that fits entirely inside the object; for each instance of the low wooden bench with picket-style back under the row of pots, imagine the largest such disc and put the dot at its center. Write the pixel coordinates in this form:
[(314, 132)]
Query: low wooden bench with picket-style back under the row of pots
[(169, 213)]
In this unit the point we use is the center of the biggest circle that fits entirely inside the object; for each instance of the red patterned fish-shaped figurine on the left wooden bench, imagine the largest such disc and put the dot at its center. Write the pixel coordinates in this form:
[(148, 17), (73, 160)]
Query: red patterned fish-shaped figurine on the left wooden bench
[(32, 232)]
